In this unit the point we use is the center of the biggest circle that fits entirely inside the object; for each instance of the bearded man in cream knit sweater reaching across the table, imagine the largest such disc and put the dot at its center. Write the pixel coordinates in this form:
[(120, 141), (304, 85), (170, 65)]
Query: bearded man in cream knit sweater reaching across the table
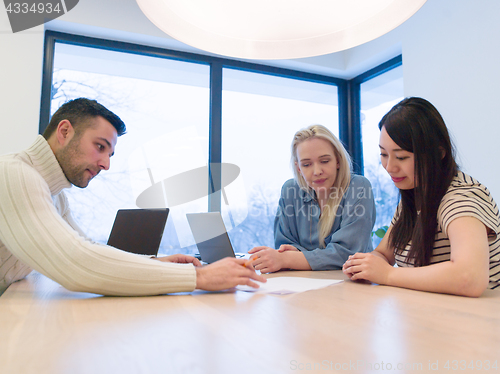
[(37, 231)]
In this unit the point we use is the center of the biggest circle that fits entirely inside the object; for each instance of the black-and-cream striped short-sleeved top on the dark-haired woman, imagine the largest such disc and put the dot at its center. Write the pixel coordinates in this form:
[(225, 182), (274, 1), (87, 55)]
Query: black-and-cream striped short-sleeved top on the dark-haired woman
[(466, 197)]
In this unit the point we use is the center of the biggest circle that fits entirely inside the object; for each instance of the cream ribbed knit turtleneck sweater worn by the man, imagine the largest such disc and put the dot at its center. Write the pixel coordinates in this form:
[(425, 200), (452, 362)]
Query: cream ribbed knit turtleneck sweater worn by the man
[(37, 232)]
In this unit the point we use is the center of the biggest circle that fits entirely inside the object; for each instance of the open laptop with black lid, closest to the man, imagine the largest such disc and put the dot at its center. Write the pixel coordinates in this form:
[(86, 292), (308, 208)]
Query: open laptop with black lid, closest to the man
[(138, 230)]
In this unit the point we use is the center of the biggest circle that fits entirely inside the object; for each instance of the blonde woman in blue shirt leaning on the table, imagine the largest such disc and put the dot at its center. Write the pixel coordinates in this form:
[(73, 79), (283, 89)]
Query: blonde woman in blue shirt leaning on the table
[(325, 213)]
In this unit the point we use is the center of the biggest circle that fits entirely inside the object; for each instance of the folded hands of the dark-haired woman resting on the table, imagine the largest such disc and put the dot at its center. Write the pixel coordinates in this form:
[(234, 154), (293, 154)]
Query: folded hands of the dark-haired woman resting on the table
[(367, 266)]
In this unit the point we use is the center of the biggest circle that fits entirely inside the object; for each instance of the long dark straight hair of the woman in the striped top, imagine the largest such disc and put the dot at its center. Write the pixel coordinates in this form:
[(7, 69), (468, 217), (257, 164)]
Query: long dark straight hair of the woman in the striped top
[(416, 126)]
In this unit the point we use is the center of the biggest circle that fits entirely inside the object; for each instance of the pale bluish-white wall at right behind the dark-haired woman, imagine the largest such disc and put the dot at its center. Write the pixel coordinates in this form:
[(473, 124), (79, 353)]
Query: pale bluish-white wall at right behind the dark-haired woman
[(451, 57)]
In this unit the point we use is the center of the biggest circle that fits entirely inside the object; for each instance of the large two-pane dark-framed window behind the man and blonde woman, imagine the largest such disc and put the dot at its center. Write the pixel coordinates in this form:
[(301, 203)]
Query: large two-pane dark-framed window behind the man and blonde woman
[(183, 112)]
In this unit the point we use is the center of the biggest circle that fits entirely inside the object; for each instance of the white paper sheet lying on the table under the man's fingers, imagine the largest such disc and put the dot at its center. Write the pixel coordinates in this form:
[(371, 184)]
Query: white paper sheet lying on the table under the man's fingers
[(287, 285)]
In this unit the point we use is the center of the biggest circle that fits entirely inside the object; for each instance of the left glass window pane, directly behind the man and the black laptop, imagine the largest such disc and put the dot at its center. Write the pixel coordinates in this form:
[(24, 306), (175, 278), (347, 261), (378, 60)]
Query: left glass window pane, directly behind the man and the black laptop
[(165, 106)]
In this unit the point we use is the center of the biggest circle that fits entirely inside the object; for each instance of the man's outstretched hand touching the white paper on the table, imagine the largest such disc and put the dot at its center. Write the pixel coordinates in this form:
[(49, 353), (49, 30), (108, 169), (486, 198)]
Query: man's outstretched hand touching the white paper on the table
[(226, 273)]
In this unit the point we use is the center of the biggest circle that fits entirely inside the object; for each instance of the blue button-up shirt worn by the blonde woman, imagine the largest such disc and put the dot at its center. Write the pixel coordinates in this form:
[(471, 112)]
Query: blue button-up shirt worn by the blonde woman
[(297, 221)]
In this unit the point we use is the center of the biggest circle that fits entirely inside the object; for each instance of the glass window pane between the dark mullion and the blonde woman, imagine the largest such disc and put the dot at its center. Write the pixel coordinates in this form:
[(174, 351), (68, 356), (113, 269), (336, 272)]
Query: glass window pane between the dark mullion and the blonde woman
[(260, 115)]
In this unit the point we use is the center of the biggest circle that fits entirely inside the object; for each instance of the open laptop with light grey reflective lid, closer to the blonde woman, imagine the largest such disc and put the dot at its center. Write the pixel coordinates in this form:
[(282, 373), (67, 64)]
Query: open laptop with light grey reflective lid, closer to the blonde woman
[(211, 237)]
